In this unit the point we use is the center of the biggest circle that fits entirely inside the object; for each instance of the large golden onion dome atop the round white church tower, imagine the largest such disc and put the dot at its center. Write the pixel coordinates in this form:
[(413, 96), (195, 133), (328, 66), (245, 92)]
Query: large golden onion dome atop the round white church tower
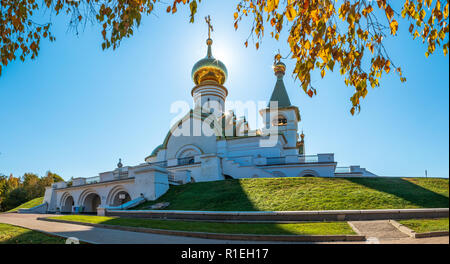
[(209, 69)]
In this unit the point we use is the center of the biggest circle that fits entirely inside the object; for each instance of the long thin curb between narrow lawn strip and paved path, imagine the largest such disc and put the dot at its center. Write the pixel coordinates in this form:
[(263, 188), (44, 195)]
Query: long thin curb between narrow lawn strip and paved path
[(279, 238)]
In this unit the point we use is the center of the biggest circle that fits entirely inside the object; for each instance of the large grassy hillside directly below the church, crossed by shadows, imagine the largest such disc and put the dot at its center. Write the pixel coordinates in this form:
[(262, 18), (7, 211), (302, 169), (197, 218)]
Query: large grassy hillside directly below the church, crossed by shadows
[(289, 194)]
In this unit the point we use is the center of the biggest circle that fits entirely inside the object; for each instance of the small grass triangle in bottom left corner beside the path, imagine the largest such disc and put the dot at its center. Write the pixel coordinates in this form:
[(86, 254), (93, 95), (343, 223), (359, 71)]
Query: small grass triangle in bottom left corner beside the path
[(10, 234)]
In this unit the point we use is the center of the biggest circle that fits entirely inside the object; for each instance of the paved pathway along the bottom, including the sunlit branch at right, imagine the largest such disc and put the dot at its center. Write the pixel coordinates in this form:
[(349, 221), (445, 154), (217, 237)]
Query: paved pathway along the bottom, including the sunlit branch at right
[(377, 232)]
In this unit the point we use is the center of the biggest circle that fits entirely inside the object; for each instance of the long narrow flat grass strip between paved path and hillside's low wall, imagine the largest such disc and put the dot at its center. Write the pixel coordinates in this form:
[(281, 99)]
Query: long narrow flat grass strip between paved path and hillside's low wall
[(318, 228)]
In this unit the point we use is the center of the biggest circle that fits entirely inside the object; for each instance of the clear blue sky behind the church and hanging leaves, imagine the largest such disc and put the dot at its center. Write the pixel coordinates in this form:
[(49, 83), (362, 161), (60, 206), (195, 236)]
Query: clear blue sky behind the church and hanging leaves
[(76, 109)]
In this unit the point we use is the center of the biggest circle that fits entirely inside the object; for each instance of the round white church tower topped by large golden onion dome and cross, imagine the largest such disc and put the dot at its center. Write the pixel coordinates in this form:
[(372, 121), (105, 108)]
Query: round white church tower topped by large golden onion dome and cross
[(209, 75)]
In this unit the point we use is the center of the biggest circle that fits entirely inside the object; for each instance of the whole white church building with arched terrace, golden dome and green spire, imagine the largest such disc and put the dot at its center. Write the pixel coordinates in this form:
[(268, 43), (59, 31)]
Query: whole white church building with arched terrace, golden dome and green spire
[(207, 144)]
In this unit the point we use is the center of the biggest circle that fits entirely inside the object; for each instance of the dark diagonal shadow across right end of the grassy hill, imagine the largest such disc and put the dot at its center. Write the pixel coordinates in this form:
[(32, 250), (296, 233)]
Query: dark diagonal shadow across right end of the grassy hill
[(406, 190)]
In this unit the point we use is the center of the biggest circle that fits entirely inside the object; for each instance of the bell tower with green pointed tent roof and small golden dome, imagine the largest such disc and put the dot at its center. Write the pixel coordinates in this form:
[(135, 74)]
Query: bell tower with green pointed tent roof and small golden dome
[(281, 116)]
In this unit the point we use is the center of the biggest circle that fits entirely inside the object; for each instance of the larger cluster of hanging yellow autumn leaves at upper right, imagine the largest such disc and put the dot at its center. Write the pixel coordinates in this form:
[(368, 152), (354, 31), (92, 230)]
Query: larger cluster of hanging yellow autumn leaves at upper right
[(324, 33)]
